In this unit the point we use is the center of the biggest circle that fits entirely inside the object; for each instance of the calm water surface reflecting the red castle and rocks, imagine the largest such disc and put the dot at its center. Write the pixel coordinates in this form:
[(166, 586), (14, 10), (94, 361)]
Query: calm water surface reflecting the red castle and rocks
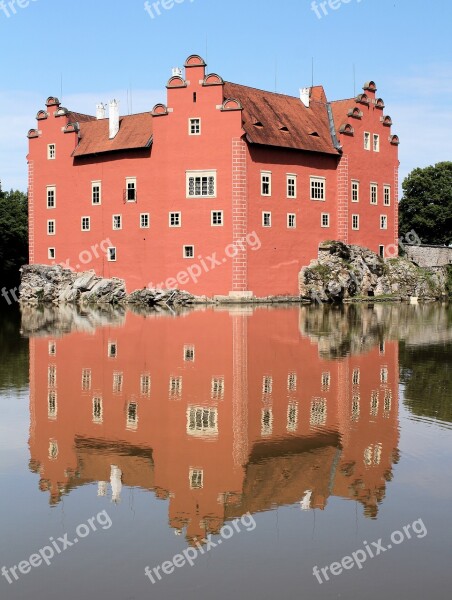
[(256, 443)]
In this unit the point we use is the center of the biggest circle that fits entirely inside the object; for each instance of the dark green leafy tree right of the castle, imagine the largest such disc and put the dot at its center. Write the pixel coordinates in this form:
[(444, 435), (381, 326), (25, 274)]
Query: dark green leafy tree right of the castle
[(426, 205)]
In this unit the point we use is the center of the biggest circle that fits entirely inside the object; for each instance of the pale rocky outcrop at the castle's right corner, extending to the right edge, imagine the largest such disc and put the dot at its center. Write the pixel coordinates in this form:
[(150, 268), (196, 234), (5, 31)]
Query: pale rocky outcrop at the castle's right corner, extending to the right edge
[(345, 272)]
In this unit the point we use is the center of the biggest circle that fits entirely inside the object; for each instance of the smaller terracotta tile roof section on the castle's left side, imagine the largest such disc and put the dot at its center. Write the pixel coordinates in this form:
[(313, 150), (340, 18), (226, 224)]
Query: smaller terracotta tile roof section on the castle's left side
[(135, 131)]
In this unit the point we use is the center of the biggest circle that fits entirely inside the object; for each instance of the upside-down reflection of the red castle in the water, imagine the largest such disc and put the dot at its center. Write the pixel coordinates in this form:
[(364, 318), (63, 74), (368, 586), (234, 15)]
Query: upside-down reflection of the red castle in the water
[(220, 412)]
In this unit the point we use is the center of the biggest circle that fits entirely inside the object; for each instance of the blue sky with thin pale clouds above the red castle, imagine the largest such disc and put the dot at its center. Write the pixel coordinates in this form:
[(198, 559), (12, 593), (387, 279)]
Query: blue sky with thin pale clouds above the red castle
[(101, 48)]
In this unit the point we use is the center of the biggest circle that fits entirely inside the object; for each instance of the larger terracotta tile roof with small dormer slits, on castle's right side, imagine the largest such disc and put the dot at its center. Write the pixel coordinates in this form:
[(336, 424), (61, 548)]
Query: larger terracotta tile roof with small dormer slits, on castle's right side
[(277, 120)]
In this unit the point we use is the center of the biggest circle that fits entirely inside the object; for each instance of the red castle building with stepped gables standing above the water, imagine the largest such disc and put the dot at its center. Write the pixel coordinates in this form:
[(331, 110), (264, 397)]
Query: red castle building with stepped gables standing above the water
[(225, 189)]
